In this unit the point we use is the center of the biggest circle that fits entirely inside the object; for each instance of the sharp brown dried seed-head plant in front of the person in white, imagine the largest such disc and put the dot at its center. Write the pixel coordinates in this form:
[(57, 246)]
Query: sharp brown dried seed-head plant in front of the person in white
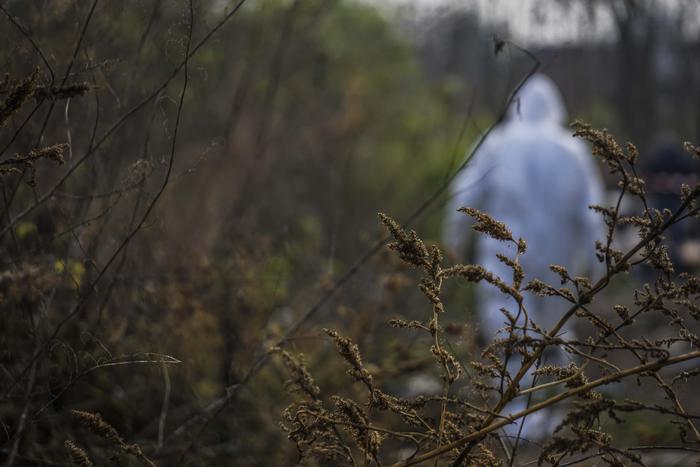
[(450, 428)]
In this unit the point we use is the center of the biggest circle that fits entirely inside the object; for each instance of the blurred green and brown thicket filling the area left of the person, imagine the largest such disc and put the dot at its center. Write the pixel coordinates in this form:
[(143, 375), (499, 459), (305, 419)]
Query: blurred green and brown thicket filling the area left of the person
[(161, 218)]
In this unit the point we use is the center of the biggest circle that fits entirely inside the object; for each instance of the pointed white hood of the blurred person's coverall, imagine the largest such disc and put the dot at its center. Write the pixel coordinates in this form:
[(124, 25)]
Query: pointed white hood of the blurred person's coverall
[(538, 101)]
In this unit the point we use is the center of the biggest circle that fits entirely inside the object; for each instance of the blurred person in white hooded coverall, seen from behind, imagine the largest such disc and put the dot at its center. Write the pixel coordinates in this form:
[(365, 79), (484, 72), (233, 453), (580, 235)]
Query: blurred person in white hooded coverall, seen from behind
[(531, 174)]
